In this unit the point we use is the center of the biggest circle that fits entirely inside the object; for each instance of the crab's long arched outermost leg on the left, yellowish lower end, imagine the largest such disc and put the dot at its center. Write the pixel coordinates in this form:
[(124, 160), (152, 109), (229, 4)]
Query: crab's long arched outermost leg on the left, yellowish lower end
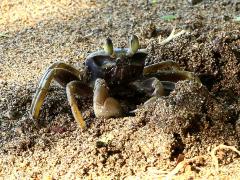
[(43, 87)]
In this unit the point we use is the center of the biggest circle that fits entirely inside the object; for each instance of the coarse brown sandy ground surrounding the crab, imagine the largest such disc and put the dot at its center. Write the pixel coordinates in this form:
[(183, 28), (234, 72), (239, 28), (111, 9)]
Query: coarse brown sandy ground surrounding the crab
[(188, 124)]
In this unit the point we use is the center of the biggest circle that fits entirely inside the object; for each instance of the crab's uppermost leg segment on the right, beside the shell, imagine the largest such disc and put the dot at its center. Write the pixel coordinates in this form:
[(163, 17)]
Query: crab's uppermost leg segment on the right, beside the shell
[(162, 65)]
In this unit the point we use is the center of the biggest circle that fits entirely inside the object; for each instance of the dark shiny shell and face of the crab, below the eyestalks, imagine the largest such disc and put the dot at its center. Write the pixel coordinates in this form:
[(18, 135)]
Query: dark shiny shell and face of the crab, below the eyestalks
[(119, 68)]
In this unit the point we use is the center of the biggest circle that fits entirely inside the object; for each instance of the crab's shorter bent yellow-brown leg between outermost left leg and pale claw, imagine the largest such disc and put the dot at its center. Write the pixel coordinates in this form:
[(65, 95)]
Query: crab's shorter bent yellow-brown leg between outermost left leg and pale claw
[(72, 88)]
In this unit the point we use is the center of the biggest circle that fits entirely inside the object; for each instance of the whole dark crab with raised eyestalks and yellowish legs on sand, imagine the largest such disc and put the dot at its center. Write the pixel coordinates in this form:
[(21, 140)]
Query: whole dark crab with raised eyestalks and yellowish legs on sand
[(104, 75)]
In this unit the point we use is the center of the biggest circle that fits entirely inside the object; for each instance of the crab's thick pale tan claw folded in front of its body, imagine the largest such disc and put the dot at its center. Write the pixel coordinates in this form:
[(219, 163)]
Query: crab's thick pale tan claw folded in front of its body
[(104, 106)]
